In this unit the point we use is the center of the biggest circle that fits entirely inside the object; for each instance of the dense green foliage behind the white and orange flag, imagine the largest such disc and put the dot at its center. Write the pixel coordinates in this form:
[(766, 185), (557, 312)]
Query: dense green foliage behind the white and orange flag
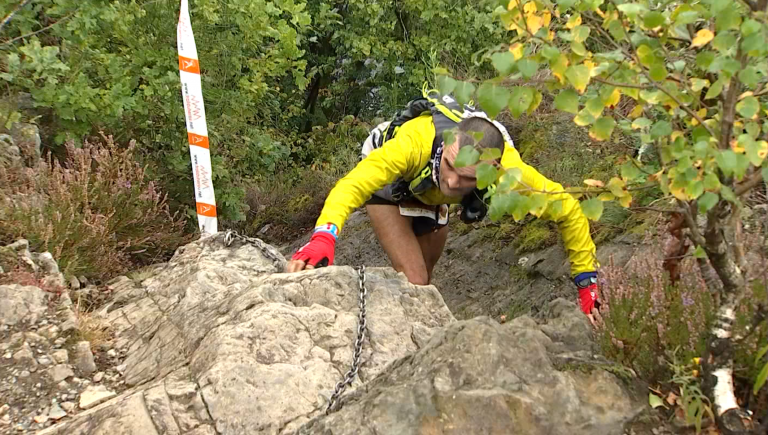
[(270, 72)]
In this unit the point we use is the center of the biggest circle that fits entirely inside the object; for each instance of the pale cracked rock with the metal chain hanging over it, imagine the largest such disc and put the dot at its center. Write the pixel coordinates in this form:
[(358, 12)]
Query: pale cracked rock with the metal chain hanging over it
[(218, 340)]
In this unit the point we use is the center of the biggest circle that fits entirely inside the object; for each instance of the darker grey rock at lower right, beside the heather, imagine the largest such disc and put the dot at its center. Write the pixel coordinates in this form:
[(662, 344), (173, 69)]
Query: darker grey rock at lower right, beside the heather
[(480, 377)]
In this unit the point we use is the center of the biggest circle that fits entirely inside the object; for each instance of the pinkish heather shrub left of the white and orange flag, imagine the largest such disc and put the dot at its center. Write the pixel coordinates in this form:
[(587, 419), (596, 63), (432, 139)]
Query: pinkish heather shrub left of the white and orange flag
[(97, 212)]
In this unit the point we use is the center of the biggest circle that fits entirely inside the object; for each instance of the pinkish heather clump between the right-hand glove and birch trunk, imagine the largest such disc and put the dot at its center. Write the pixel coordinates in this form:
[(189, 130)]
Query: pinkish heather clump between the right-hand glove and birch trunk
[(645, 315)]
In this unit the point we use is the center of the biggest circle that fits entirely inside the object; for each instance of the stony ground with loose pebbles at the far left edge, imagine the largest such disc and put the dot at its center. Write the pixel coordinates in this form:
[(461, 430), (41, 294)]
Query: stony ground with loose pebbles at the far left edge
[(37, 385)]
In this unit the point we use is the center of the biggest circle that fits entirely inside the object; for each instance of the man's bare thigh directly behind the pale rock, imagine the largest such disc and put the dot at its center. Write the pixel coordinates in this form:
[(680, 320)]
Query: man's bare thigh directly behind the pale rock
[(395, 233)]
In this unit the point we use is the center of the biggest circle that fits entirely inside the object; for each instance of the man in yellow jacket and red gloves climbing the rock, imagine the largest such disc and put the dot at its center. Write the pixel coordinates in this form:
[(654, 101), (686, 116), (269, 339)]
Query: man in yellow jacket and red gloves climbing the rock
[(407, 177)]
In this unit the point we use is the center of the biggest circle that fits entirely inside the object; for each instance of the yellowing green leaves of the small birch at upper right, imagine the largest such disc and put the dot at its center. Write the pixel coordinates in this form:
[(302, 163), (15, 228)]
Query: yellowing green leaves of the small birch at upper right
[(602, 55)]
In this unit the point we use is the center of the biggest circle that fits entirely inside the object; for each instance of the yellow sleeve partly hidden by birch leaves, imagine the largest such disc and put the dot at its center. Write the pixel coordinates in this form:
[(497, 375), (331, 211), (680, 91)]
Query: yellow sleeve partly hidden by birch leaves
[(573, 225)]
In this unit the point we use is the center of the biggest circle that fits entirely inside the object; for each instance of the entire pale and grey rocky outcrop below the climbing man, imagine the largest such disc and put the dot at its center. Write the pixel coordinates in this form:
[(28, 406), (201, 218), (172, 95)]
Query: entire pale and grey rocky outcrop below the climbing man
[(219, 342)]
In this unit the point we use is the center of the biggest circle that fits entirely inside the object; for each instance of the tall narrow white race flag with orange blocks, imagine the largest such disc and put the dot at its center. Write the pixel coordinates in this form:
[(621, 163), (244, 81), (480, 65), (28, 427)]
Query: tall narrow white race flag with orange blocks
[(197, 131)]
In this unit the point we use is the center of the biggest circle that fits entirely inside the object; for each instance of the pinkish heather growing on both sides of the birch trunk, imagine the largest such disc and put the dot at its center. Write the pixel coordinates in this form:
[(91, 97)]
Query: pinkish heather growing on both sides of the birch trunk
[(647, 318)]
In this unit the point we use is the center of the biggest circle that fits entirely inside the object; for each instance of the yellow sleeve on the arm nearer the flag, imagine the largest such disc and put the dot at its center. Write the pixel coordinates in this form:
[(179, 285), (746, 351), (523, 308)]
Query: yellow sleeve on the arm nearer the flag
[(402, 156)]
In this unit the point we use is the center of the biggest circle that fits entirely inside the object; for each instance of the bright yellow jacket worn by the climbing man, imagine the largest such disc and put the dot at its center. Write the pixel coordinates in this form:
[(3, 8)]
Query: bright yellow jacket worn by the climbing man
[(410, 151)]
